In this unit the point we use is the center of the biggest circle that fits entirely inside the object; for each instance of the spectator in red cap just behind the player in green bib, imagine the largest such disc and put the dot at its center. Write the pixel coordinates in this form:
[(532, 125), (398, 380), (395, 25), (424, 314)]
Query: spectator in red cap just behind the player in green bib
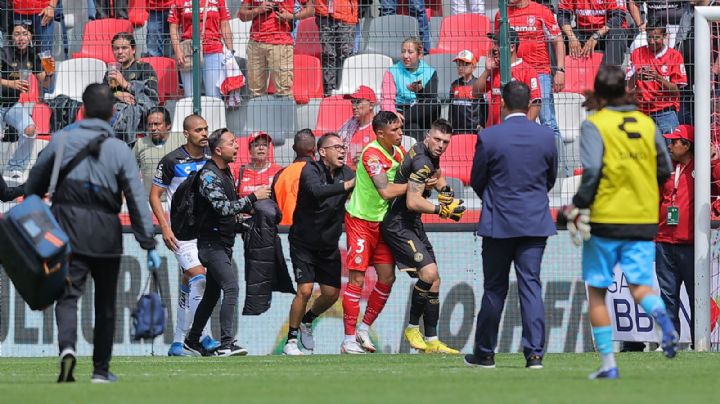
[(357, 131)]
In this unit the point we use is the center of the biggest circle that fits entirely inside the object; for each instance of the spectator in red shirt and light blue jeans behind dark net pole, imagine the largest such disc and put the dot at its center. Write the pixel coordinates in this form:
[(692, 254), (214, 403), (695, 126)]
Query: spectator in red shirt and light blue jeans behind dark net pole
[(216, 32)]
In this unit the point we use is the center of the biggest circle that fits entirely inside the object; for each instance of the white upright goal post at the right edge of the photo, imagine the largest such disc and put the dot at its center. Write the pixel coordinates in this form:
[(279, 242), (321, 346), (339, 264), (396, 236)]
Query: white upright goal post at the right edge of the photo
[(703, 99)]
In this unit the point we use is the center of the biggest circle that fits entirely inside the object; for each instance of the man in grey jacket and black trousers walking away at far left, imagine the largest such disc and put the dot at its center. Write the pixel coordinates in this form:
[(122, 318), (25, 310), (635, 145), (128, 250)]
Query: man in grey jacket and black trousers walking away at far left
[(89, 198)]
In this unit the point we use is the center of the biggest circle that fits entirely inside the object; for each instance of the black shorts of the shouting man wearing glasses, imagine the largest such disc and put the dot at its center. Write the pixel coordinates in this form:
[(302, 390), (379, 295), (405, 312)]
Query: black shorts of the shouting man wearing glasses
[(321, 266)]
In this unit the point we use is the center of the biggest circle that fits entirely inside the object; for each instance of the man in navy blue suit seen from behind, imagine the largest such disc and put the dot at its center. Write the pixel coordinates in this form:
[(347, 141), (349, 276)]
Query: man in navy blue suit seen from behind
[(514, 167)]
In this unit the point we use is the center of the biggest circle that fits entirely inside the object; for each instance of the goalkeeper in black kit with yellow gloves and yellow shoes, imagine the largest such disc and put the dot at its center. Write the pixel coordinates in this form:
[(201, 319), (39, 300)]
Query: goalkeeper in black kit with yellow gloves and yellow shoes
[(403, 231)]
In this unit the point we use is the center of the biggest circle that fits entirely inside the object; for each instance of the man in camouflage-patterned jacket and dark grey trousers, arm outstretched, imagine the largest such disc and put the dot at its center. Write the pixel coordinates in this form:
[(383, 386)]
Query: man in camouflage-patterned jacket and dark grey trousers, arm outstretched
[(216, 236)]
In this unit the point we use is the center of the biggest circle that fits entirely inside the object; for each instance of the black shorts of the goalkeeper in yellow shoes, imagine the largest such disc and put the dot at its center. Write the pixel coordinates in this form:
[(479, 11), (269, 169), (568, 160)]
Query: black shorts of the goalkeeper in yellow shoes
[(408, 243)]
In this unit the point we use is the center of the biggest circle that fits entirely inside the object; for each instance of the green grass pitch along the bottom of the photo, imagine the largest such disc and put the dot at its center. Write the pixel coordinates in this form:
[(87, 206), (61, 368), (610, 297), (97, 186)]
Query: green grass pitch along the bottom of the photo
[(645, 378)]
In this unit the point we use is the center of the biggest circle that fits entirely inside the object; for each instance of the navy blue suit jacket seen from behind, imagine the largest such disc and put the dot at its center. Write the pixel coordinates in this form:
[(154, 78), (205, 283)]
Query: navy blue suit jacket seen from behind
[(514, 167)]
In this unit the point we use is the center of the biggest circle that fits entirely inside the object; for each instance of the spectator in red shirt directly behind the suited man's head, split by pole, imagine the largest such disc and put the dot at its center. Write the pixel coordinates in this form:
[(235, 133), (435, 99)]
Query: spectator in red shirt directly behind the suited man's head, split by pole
[(489, 81)]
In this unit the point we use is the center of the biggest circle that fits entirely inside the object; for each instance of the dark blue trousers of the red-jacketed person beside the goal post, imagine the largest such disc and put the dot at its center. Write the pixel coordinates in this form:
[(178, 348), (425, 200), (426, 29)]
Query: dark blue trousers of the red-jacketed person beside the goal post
[(675, 265)]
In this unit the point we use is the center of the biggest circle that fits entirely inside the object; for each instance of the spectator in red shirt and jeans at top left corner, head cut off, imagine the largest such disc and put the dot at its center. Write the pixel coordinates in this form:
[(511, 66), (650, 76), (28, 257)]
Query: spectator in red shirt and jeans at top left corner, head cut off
[(38, 14)]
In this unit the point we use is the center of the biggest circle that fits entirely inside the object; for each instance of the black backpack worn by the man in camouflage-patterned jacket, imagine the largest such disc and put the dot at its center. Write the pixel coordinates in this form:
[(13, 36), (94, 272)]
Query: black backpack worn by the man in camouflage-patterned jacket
[(184, 218)]
